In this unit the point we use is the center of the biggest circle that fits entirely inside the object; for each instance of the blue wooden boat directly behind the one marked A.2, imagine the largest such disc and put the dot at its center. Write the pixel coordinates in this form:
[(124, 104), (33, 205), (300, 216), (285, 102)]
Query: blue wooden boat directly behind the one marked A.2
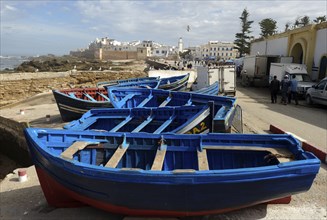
[(223, 107)]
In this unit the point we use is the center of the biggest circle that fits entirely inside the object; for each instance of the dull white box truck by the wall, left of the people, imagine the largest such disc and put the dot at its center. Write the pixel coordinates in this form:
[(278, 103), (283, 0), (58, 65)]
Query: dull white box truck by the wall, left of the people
[(256, 69)]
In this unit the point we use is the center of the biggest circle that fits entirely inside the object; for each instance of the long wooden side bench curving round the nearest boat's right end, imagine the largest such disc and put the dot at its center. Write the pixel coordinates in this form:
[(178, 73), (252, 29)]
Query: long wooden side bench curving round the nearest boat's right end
[(286, 155)]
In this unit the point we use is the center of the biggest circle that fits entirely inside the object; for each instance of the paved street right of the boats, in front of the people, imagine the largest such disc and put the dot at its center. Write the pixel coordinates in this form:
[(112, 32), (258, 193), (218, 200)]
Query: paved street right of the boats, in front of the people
[(307, 122)]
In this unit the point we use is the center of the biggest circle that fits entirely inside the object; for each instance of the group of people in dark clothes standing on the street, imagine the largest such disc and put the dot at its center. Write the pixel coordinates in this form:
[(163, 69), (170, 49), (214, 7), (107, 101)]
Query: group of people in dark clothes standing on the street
[(287, 87)]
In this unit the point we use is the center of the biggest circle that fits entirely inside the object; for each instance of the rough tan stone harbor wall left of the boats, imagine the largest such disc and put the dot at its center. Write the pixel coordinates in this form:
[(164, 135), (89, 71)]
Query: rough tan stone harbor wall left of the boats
[(16, 87)]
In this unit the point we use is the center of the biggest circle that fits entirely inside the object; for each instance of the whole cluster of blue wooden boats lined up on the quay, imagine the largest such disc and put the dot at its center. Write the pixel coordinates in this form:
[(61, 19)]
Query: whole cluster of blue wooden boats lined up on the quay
[(145, 147)]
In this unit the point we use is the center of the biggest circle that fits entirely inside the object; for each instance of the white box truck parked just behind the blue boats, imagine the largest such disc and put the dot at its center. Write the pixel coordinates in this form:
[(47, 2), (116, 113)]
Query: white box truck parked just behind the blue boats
[(224, 75)]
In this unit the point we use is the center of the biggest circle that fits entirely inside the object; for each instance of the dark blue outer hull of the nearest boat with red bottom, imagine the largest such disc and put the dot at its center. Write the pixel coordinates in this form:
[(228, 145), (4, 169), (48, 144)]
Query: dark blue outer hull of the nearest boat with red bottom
[(161, 193)]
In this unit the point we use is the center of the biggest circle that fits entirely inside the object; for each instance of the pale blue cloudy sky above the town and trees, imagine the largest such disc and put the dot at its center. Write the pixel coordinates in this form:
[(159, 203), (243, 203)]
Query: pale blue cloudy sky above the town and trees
[(56, 27)]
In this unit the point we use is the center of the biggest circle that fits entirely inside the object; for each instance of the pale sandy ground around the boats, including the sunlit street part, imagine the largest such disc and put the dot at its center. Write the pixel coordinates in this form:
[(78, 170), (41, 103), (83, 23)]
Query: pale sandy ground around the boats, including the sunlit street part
[(26, 201)]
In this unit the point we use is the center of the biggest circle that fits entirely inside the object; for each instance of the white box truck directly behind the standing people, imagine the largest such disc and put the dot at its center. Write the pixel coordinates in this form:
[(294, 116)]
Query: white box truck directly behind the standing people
[(290, 69)]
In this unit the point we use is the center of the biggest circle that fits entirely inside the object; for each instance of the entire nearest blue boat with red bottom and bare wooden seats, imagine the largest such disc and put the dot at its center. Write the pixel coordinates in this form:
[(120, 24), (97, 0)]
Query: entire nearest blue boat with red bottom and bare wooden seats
[(143, 174)]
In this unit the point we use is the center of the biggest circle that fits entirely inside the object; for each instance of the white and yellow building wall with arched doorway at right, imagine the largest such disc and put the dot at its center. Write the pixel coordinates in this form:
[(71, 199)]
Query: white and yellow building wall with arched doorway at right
[(307, 45)]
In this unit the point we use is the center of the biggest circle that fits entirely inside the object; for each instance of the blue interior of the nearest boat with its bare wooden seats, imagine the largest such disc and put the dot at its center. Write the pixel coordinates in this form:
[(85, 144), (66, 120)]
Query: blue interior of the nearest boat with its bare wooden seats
[(186, 155)]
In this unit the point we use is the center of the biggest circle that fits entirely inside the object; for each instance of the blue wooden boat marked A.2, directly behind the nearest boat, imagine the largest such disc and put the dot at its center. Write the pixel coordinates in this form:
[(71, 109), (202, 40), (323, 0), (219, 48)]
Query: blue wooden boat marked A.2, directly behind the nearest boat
[(180, 120)]
